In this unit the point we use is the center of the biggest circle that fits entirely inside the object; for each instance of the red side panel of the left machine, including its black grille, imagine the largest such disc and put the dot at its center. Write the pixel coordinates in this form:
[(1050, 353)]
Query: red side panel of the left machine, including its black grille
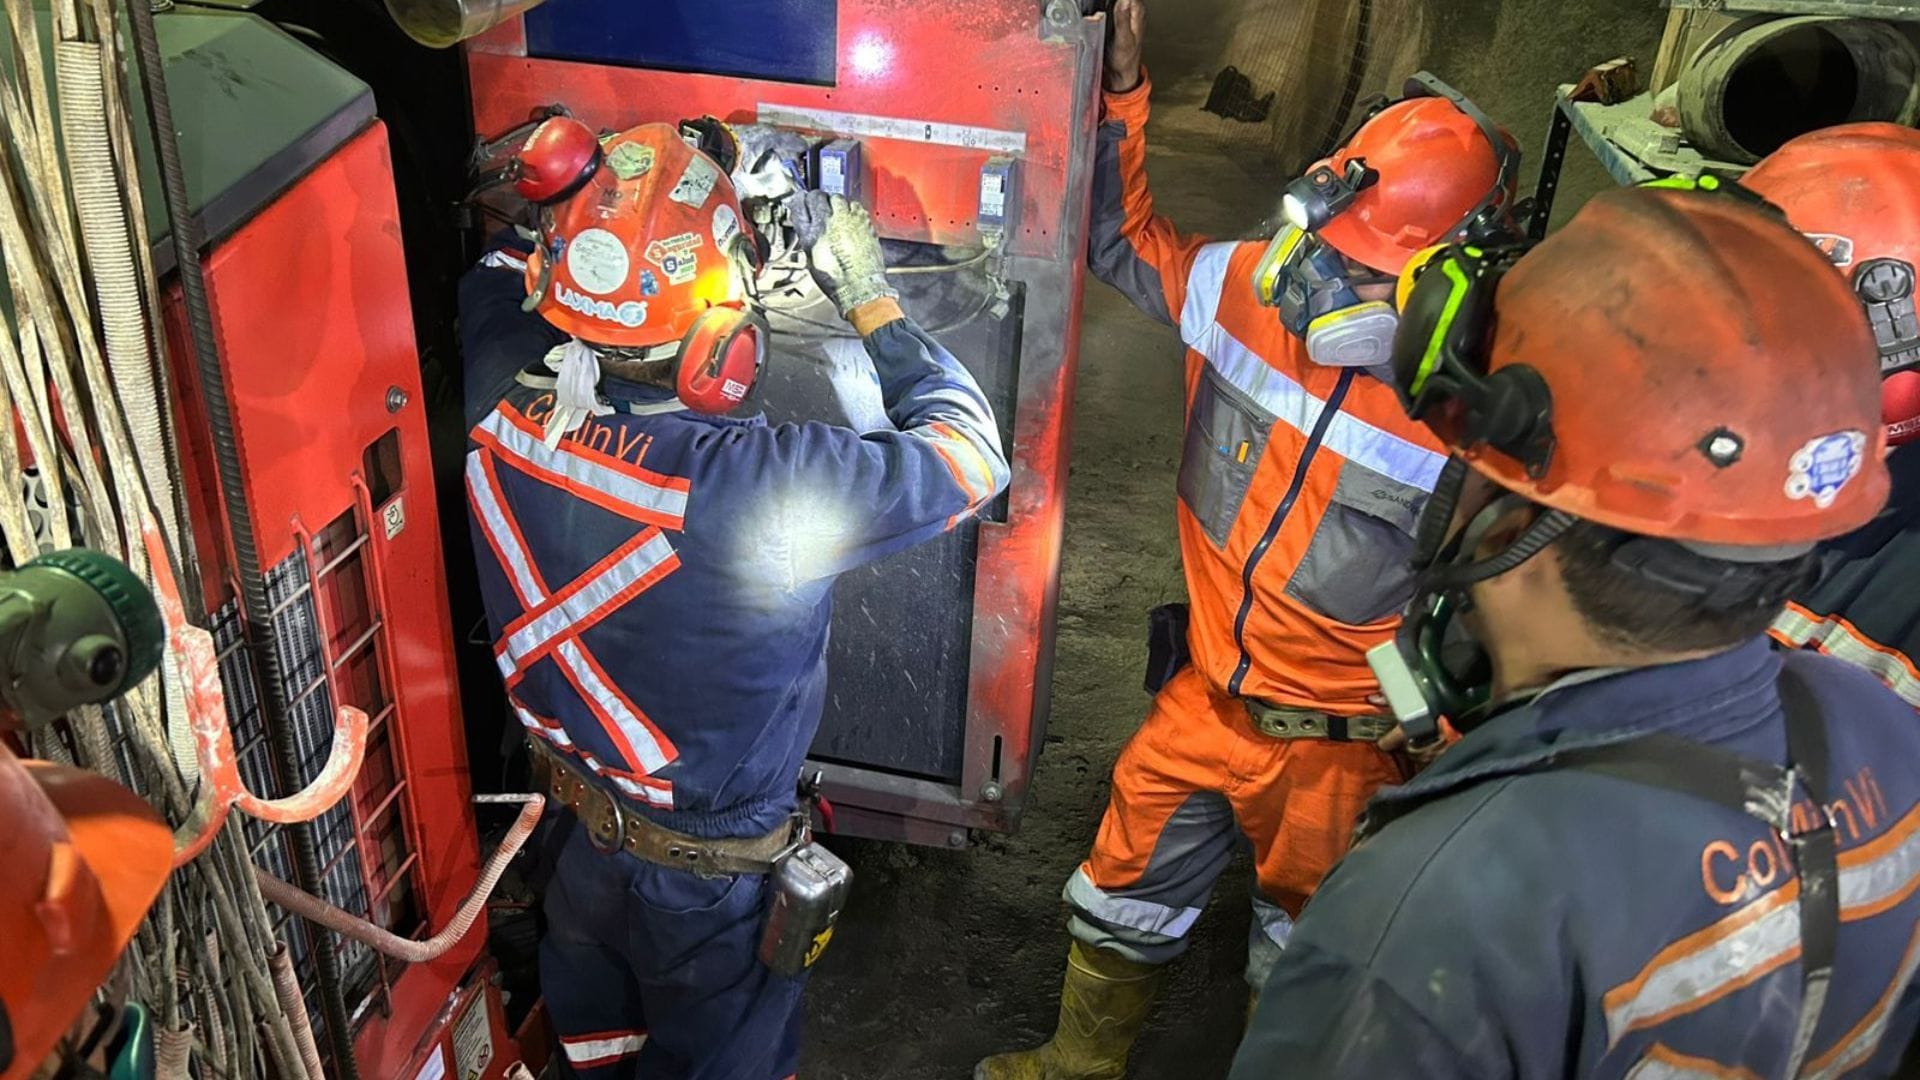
[(312, 312)]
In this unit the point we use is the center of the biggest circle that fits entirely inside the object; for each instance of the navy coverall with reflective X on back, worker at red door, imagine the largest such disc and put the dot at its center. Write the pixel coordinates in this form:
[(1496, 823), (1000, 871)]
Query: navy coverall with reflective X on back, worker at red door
[(660, 591)]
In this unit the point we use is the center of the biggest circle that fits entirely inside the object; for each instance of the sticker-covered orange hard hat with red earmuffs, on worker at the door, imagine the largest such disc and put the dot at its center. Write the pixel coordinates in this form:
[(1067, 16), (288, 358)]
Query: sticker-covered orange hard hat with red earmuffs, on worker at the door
[(644, 249)]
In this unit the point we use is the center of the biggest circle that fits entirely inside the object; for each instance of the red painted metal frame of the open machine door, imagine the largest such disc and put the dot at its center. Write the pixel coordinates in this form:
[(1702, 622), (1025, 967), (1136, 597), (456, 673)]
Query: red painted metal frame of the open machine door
[(992, 66)]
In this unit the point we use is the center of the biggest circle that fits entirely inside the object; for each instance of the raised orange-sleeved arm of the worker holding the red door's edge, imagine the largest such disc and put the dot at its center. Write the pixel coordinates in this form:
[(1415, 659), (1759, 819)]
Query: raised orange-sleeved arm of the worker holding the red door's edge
[(1130, 245)]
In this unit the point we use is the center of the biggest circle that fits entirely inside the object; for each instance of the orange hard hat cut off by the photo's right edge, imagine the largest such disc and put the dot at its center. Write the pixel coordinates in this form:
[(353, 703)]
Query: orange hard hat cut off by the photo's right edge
[(1856, 193)]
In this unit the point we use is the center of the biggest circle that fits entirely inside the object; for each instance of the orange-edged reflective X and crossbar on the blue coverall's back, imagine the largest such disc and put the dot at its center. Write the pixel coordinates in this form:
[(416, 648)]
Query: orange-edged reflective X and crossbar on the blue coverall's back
[(552, 624)]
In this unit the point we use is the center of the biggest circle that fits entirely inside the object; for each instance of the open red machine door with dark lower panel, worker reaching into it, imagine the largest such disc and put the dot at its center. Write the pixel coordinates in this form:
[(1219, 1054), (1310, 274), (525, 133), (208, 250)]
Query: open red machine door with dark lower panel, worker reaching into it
[(978, 182)]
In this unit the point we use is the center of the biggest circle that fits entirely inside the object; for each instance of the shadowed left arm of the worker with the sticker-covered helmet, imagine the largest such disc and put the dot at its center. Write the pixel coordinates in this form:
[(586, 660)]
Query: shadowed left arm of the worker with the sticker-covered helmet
[(498, 339)]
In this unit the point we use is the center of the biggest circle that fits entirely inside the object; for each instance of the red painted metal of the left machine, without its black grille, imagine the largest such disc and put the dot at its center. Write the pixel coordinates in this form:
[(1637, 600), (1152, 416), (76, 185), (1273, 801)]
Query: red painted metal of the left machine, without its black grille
[(312, 312)]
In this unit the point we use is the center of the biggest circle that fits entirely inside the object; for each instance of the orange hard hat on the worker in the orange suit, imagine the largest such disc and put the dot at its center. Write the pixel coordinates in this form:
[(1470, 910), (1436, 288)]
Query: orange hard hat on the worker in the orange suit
[(1435, 166)]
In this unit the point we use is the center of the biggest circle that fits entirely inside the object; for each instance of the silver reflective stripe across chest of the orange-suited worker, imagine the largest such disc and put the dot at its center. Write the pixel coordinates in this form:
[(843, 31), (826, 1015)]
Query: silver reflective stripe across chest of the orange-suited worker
[(1347, 435)]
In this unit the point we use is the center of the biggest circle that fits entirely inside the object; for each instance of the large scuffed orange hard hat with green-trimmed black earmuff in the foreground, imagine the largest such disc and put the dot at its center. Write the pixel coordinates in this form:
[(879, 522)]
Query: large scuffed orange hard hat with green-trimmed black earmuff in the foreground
[(1679, 358)]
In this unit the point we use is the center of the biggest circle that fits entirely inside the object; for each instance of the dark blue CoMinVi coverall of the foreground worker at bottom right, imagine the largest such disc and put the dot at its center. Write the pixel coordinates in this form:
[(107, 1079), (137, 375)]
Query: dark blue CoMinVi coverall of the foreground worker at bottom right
[(1548, 925)]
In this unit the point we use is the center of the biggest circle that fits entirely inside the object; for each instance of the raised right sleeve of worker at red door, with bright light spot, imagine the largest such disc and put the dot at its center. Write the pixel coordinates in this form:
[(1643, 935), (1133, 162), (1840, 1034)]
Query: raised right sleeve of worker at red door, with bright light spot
[(838, 499)]
